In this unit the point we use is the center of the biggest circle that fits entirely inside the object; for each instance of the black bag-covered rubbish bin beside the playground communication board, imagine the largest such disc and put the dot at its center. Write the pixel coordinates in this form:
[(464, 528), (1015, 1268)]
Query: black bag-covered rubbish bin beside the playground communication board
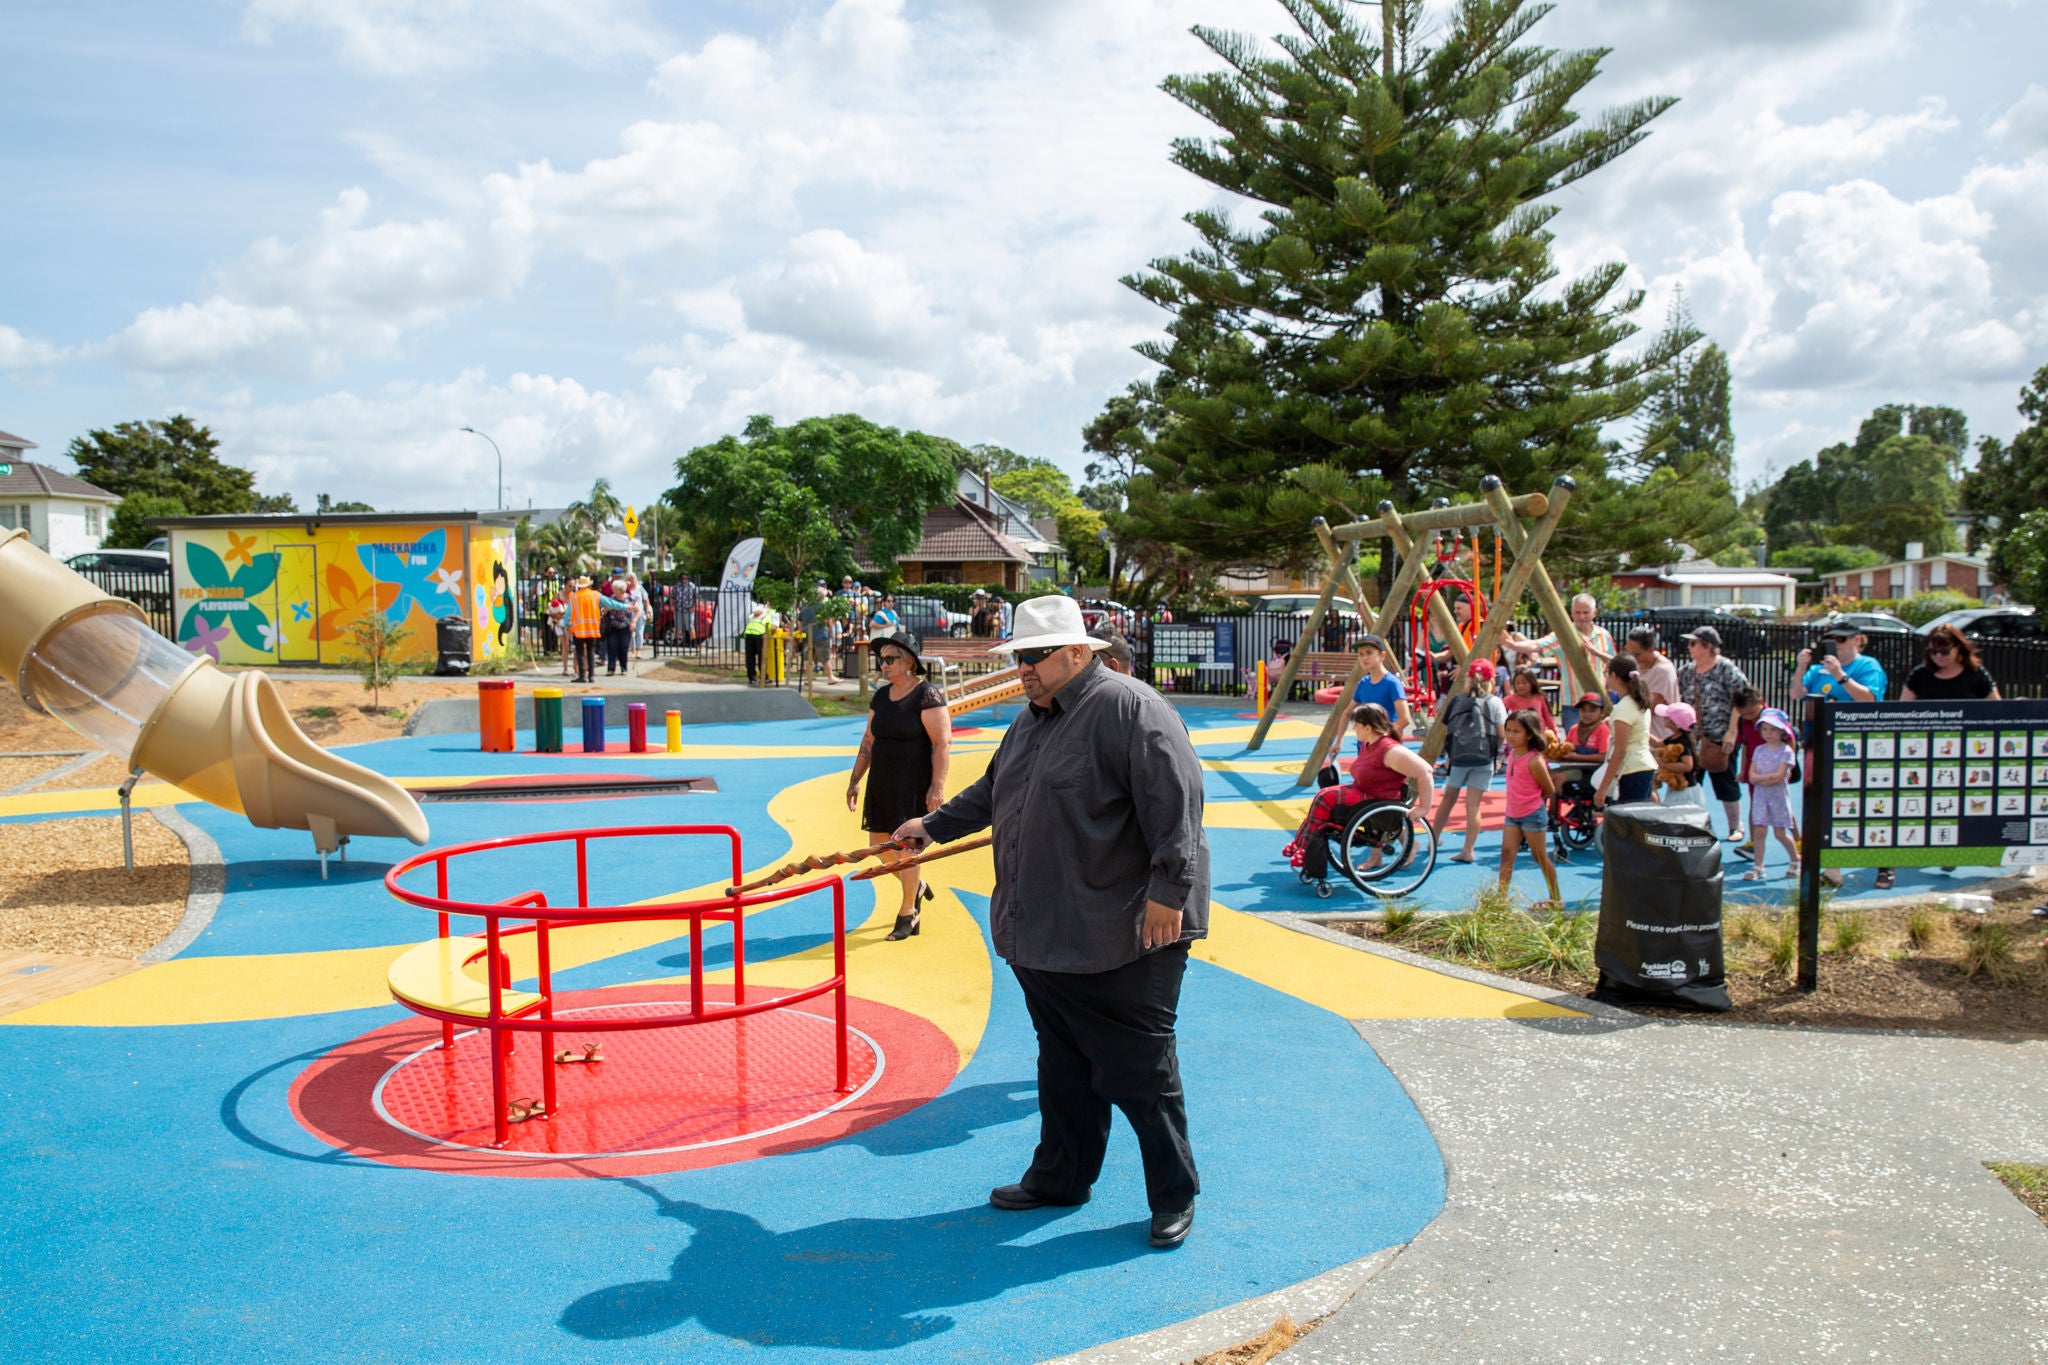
[(1660, 910)]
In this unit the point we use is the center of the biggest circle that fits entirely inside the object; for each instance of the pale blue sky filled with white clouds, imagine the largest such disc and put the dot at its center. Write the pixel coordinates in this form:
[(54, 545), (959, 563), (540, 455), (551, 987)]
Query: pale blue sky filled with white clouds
[(605, 232)]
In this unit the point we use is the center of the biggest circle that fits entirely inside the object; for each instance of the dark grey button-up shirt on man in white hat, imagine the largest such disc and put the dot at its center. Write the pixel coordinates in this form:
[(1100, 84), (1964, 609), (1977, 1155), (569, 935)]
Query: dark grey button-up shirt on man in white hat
[(1097, 803)]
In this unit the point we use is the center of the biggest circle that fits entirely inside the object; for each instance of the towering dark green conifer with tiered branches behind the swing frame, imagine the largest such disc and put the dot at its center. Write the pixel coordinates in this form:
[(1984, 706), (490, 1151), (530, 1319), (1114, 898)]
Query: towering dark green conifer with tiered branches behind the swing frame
[(1394, 324)]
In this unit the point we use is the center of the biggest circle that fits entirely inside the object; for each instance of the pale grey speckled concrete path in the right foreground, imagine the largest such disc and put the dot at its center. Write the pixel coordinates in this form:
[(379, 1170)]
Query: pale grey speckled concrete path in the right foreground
[(1695, 1192)]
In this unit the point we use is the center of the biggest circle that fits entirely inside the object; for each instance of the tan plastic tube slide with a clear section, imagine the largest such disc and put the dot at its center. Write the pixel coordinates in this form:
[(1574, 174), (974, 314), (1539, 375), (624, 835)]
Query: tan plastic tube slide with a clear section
[(95, 664)]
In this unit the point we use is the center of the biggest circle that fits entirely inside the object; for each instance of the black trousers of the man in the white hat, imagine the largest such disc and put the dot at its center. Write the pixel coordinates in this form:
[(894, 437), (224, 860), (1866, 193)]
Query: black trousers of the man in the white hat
[(1107, 1039)]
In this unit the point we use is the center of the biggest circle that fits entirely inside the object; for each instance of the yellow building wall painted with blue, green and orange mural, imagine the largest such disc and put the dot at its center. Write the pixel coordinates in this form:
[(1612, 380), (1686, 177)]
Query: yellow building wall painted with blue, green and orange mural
[(278, 595)]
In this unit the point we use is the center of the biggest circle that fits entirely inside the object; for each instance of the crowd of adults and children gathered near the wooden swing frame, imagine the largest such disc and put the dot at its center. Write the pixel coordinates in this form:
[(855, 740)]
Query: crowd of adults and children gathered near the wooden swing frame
[(1658, 730)]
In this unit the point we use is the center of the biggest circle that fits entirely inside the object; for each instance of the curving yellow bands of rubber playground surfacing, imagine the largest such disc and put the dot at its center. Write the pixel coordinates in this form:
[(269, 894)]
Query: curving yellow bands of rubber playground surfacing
[(943, 975)]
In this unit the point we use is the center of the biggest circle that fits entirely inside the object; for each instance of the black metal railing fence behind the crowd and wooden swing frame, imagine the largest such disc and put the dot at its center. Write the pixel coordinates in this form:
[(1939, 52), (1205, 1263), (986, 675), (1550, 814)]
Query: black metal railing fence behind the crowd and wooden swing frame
[(1215, 654)]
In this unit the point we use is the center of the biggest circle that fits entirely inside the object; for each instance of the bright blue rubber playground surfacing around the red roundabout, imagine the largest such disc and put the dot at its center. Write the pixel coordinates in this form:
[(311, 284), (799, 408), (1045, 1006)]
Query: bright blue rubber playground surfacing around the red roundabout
[(167, 1206)]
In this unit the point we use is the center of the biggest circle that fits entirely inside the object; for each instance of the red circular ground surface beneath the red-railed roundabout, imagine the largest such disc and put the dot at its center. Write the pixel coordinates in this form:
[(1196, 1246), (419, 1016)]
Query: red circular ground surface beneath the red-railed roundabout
[(665, 1100)]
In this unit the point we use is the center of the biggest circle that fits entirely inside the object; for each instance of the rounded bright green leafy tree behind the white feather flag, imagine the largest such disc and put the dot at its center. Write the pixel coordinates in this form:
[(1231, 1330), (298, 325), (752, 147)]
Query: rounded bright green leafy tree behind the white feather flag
[(873, 484)]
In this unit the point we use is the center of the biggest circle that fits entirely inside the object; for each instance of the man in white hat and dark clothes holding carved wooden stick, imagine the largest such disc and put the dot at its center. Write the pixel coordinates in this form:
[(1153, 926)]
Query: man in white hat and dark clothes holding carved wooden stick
[(1101, 885)]
